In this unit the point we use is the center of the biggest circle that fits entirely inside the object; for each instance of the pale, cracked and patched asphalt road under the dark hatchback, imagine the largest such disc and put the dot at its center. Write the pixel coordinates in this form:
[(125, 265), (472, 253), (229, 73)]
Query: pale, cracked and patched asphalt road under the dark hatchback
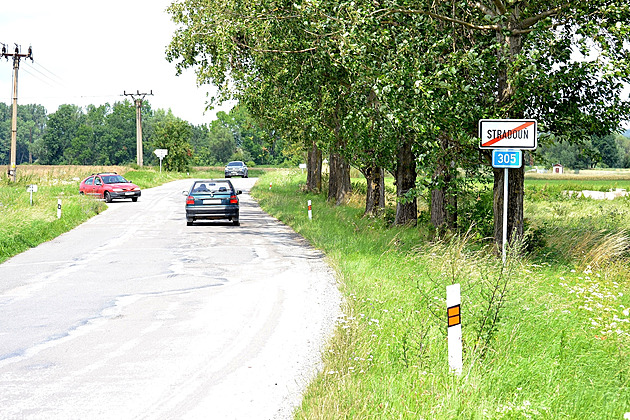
[(134, 315)]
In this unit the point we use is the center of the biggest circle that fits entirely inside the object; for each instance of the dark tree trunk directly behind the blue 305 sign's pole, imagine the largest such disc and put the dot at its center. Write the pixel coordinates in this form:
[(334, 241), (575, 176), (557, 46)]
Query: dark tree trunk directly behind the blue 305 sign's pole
[(516, 180)]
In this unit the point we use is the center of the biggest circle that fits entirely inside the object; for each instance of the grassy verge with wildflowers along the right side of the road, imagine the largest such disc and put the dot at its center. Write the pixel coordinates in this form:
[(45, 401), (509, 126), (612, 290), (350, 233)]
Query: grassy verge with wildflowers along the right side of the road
[(543, 337)]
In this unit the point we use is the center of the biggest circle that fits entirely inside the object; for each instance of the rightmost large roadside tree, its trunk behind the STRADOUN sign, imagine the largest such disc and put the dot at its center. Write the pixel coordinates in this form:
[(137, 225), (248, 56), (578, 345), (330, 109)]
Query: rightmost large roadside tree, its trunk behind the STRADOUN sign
[(535, 74)]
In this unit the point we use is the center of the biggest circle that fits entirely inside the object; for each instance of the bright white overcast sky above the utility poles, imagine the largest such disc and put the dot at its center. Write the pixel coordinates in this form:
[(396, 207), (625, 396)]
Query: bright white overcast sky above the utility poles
[(91, 52)]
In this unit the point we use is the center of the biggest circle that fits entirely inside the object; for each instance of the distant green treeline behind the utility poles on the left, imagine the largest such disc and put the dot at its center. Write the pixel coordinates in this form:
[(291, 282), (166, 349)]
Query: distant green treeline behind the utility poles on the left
[(106, 135)]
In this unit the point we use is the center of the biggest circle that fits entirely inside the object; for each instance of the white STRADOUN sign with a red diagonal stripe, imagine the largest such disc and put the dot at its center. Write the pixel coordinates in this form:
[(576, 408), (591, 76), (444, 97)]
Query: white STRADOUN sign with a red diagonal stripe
[(508, 134)]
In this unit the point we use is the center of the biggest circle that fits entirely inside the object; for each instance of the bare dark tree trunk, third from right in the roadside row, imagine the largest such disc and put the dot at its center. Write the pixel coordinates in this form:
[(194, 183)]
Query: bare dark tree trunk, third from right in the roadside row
[(406, 206)]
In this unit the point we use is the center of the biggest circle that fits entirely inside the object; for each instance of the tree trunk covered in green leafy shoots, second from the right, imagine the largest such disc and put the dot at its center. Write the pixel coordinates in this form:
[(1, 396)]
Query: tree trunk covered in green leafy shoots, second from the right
[(443, 196)]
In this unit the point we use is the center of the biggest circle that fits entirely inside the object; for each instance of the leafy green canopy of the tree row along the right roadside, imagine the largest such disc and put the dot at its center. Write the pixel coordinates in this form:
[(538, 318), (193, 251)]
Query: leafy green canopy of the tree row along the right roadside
[(378, 82)]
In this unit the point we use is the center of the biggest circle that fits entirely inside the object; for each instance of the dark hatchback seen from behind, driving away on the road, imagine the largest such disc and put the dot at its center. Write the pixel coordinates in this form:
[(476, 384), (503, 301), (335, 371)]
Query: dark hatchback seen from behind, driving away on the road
[(212, 199)]
